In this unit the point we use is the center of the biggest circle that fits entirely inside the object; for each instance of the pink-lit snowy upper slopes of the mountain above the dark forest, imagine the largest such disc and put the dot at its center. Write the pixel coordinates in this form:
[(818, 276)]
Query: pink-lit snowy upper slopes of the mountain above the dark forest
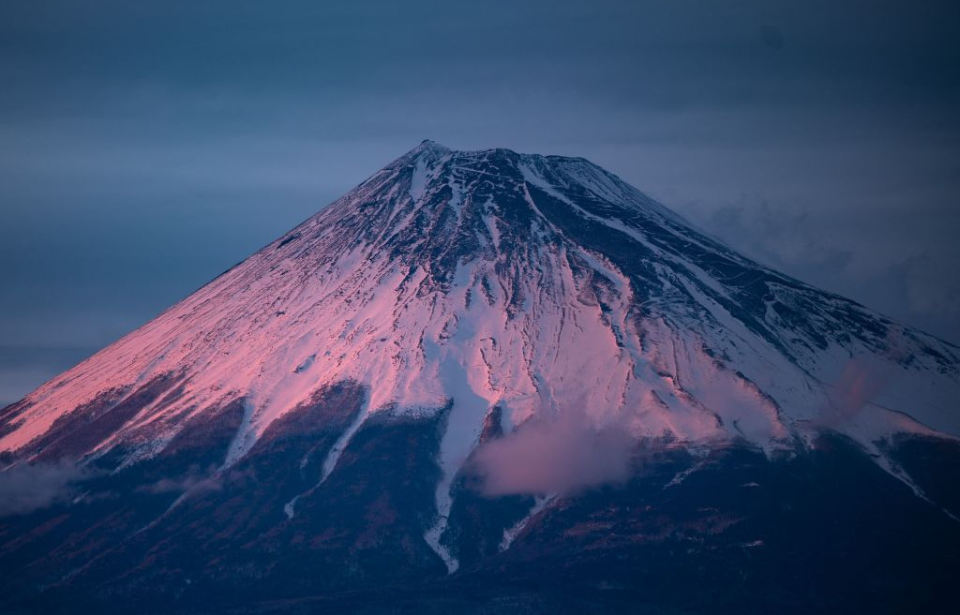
[(532, 283)]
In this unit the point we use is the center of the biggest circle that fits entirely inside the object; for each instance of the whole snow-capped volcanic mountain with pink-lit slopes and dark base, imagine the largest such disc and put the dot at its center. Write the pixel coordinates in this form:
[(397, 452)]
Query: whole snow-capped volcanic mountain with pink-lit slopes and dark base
[(486, 381)]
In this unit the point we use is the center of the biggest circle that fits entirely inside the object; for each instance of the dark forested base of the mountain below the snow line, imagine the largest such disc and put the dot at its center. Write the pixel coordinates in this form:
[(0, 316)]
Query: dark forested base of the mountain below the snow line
[(822, 531)]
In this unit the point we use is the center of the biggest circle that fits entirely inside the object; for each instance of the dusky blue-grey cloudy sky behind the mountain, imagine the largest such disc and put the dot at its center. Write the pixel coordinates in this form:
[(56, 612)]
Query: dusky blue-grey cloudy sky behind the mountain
[(145, 147)]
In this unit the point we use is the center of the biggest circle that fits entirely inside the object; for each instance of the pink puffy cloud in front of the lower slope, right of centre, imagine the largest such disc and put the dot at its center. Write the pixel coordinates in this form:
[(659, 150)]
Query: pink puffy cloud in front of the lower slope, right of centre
[(559, 453)]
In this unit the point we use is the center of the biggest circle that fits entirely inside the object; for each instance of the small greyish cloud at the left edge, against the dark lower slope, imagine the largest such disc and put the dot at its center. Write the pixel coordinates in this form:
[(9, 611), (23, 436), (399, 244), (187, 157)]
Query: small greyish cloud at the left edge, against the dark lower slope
[(25, 489)]
